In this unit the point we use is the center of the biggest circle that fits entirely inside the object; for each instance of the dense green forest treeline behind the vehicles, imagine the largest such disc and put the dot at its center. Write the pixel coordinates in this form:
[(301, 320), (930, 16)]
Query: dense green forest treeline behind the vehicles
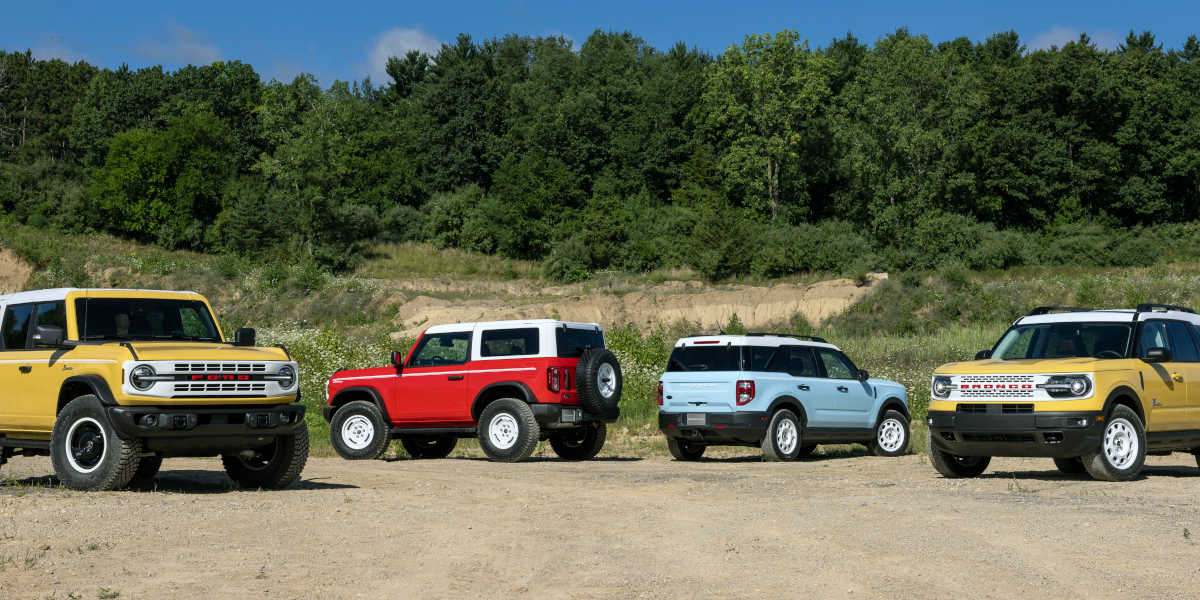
[(773, 158)]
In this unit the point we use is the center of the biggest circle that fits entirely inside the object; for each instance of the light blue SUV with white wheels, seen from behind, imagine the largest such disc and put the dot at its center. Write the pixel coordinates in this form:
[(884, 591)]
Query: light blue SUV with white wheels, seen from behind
[(787, 394)]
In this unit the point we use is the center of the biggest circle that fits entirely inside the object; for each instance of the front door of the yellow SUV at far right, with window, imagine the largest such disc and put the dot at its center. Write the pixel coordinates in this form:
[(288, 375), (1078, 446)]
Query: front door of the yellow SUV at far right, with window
[(1163, 383)]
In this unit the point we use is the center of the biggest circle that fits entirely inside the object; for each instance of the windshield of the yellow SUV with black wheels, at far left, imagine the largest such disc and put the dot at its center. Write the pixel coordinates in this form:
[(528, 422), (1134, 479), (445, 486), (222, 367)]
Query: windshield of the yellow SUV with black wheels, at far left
[(139, 319)]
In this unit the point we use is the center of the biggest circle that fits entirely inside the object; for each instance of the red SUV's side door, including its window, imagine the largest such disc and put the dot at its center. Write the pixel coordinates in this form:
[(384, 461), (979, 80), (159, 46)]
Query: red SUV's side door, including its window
[(434, 383)]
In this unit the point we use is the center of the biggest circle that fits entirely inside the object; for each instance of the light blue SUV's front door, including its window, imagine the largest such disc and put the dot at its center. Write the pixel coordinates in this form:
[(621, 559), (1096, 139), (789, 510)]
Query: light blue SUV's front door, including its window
[(842, 400)]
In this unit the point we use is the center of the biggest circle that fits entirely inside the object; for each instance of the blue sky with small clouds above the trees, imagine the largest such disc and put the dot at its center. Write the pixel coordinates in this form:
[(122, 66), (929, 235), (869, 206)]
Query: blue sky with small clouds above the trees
[(350, 40)]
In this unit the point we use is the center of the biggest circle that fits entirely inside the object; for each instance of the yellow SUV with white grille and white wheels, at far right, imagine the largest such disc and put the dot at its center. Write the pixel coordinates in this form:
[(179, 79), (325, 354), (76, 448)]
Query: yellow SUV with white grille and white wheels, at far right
[(1095, 391)]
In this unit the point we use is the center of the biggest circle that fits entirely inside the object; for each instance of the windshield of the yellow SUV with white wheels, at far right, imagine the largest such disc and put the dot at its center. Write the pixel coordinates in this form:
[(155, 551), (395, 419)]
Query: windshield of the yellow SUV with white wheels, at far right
[(1065, 340)]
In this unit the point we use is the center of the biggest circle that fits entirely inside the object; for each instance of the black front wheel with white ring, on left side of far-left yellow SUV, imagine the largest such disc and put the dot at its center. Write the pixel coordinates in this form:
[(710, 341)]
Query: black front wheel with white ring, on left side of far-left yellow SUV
[(86, 451)]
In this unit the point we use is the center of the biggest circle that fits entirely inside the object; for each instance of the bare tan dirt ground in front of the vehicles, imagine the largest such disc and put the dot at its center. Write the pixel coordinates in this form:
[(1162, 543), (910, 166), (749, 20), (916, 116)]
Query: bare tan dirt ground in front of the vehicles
[(830, 527)]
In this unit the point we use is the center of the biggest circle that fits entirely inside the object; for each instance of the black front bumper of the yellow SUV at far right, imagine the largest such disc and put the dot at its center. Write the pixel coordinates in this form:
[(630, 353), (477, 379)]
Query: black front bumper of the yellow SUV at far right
[(994, 433)]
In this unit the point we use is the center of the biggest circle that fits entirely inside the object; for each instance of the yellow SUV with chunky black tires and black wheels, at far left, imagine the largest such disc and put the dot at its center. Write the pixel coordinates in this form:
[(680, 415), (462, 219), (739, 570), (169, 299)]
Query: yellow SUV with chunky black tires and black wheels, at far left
[(110, 382)]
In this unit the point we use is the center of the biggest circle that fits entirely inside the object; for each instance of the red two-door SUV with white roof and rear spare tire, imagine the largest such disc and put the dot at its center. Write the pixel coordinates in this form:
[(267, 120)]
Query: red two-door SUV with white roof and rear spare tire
[(512, 383)]
